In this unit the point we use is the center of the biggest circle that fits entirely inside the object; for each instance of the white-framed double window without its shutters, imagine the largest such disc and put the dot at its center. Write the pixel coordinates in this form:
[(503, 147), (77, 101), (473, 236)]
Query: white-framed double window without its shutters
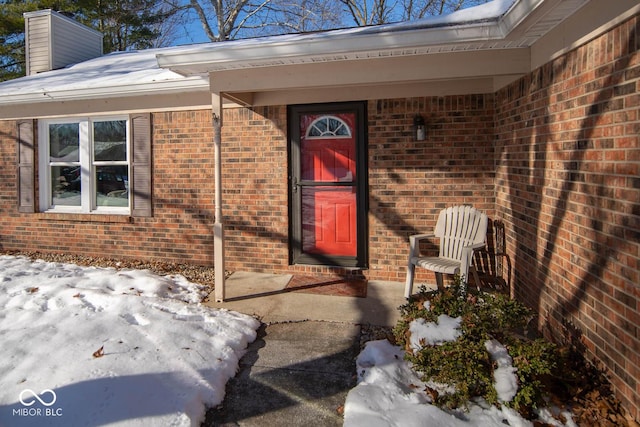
[(84, 165)]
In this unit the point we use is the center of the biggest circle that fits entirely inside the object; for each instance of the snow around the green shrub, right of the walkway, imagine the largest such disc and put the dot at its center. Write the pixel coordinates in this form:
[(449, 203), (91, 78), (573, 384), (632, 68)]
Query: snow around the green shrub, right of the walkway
[(390, 393)]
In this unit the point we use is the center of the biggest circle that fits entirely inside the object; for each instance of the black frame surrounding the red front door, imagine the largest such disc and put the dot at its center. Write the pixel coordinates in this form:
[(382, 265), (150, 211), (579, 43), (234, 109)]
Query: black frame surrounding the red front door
[(296, 255)]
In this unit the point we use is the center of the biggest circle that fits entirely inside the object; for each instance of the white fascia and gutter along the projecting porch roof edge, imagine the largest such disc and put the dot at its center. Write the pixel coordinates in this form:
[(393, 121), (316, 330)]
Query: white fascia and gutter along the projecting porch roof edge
[(348, 44)]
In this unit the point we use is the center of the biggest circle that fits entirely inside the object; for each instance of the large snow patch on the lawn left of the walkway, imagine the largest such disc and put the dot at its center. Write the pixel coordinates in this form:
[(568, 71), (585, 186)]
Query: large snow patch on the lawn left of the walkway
[(162, 358)]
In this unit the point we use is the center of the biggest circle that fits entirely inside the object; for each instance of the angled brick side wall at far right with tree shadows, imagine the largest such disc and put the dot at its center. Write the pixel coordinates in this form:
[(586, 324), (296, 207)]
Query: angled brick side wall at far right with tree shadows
[(568, 188)]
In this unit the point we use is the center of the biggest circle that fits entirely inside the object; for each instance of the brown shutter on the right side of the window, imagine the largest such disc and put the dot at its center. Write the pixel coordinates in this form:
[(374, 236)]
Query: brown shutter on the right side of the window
[(141, 165)]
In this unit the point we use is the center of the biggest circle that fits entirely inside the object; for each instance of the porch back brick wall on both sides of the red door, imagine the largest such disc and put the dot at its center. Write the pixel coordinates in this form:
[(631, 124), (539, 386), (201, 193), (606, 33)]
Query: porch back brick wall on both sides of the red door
[(409, 181)]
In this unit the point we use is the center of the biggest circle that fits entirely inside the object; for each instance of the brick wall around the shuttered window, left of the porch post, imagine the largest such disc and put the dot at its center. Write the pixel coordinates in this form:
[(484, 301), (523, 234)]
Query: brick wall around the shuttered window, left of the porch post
[(180, 230)]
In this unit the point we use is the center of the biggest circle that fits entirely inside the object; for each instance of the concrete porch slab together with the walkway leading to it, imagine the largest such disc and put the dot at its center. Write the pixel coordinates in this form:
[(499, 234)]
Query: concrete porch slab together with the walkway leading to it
[(302, 365)]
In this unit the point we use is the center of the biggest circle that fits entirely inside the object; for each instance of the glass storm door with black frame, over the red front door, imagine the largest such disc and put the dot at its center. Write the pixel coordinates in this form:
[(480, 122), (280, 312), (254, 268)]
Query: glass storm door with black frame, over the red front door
[(326, 186)]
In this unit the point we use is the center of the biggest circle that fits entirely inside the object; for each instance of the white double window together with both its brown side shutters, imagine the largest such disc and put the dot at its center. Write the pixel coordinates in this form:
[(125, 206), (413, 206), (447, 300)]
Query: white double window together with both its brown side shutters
[(67, 151)]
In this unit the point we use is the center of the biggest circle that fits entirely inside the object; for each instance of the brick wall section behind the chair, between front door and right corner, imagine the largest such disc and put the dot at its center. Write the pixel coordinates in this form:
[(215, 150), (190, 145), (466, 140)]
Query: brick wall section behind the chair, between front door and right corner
[(411, 181)]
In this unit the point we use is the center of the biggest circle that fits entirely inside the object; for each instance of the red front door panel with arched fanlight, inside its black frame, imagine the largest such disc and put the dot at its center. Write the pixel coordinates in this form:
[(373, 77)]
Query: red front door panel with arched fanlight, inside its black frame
[(328, 174)]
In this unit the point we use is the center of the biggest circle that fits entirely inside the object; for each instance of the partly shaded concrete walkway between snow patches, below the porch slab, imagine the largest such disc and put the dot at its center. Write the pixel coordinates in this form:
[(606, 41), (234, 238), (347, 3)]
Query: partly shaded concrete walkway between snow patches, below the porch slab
[(294, 374)]
